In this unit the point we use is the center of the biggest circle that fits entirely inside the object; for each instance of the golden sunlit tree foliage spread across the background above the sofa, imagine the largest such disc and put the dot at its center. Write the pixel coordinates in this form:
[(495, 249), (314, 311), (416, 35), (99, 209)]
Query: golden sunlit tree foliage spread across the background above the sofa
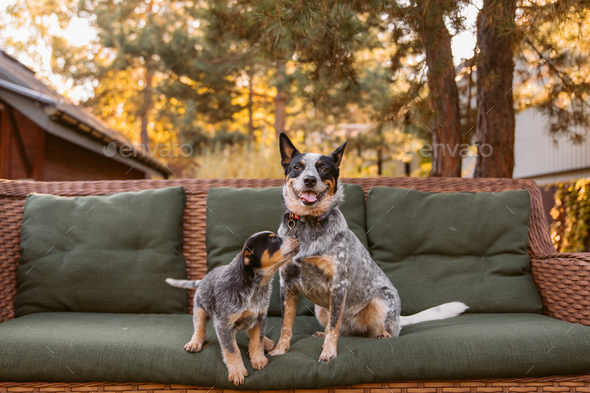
[(208, 73)]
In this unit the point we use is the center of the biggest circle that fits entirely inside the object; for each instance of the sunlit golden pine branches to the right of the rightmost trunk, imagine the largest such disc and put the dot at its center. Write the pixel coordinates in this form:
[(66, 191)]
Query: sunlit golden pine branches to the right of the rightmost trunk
[(552, 64)]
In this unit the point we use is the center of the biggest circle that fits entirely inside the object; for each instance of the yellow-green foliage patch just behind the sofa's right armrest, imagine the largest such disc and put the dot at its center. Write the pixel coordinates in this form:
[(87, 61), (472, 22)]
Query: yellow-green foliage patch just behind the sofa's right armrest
[(571, 213)]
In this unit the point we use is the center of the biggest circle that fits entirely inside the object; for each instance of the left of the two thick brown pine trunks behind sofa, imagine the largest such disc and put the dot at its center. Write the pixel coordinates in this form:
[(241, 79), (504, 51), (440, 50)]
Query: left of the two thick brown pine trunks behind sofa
[(446, 127)]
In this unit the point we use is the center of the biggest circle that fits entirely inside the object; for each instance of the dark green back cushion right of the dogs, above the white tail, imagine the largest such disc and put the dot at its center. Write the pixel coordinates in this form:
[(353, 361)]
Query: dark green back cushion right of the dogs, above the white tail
[(442, 247)]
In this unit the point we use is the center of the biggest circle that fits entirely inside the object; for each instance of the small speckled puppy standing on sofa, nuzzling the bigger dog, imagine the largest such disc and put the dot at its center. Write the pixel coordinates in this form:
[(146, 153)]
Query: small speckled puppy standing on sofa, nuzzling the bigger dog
[(237, 297)]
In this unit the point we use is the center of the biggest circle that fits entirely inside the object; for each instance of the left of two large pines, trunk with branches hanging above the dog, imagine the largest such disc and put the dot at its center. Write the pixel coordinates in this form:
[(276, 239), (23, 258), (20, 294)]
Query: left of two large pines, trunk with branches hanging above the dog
[(324, 35)]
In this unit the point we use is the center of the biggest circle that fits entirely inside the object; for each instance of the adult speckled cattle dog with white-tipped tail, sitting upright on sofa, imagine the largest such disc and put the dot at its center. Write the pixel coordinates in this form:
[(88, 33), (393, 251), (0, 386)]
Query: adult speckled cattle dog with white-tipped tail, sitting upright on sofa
[(333, 269)]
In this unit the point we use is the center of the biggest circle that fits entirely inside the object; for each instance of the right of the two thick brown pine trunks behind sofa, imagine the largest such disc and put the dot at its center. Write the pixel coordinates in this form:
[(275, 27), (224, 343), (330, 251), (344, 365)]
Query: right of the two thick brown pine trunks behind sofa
[(495, 110)]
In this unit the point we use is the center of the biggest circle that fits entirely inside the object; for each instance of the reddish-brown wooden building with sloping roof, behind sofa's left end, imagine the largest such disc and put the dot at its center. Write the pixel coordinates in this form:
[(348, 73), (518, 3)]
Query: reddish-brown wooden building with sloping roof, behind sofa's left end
[(44, 136)]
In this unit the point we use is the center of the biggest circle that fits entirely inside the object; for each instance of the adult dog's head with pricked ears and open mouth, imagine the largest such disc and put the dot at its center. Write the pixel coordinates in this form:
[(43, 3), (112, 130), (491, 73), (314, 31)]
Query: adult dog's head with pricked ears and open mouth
[(311, 182)]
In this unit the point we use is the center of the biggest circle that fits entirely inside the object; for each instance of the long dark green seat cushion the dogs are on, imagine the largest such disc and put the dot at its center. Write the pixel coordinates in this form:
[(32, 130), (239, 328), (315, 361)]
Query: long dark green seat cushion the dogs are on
[(149, 348)]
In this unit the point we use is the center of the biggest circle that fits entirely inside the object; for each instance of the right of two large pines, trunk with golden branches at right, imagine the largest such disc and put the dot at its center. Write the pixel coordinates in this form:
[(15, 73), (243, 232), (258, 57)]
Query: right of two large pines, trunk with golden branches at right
[(546, 42)]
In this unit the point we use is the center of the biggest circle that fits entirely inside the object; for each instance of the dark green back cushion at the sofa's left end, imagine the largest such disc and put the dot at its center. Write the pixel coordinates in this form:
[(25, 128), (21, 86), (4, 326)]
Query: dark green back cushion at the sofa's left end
[(108, 253)]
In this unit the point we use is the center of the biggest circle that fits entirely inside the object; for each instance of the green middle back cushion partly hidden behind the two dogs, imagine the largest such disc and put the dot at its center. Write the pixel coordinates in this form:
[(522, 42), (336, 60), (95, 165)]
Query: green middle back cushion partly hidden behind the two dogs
[(234, 214)]
